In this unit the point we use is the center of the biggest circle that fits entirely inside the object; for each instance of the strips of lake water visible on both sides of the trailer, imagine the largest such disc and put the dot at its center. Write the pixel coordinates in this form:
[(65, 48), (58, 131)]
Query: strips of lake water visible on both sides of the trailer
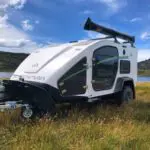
[(140, 78)]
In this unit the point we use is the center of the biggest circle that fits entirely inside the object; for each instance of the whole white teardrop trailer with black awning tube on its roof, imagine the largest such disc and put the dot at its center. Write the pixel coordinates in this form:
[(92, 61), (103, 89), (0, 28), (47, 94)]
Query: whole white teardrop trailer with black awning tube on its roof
[(88, 70)]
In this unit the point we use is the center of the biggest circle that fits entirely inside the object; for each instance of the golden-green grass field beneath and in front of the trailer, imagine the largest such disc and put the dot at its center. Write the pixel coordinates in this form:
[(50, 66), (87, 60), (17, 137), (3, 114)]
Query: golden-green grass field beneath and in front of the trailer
[(100, 127)]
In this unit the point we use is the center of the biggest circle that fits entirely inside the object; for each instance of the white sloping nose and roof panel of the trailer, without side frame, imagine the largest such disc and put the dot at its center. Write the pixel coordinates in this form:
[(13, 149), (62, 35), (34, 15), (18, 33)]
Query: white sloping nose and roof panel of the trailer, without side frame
[(45, 65)]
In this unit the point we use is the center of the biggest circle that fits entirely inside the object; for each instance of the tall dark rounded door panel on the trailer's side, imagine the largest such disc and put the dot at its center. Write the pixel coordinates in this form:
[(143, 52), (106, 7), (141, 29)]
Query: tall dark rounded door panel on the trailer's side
[(106, 81)]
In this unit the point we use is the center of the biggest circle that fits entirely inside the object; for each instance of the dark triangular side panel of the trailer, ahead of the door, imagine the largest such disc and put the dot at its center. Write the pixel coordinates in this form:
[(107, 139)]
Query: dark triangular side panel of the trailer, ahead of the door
[(74, 80)]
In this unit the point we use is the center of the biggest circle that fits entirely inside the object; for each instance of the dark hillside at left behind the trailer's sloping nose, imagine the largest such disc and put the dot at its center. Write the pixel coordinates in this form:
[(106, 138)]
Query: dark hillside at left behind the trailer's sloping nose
[(10, 61)]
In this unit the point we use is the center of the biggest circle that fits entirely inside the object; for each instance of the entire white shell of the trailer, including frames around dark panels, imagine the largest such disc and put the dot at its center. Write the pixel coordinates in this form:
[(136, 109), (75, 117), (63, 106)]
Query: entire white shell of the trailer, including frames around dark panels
[(48, 65)]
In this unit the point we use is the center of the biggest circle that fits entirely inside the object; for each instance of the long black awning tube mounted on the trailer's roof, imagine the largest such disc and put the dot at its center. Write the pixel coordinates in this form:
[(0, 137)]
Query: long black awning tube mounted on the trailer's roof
[(90, 25)]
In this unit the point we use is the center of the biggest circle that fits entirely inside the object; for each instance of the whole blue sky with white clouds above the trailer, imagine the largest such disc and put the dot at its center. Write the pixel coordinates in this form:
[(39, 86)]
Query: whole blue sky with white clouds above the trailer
[(26, 25)]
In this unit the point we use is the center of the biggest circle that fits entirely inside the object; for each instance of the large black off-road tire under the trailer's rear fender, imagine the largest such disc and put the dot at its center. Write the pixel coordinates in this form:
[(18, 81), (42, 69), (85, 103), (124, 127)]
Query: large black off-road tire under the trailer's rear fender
[(126, 95)]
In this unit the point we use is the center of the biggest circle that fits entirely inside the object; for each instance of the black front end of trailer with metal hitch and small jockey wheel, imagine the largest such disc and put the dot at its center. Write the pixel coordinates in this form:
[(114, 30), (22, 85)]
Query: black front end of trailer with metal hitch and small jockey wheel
[(24, 95)]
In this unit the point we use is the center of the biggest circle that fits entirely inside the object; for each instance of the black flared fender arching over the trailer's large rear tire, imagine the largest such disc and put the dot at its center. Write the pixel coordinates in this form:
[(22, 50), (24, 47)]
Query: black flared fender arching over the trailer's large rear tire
[(121, 82)]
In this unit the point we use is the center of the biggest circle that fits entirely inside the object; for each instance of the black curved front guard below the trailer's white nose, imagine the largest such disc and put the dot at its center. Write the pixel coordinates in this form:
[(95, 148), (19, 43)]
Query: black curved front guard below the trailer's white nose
[(27, 92)]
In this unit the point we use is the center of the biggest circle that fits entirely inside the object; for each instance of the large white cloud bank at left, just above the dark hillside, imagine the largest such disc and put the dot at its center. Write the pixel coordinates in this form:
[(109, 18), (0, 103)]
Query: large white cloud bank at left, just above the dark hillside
[(14, 40)]
